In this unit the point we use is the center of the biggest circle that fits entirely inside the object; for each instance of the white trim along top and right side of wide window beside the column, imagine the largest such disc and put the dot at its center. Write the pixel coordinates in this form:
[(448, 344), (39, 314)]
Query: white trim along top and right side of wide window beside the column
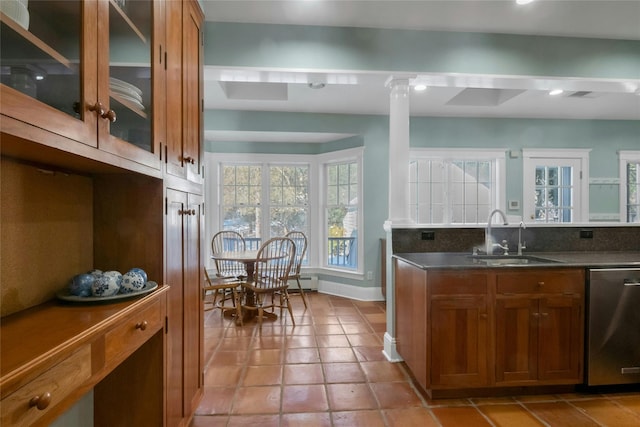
[(448, 154)]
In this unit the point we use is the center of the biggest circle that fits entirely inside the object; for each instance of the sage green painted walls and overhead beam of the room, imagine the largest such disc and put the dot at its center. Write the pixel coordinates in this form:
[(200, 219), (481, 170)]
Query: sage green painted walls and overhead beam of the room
[(396, 51)]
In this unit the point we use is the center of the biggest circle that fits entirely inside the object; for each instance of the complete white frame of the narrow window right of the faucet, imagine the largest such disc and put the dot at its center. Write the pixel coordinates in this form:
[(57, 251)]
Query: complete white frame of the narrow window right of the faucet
[(556, 156)]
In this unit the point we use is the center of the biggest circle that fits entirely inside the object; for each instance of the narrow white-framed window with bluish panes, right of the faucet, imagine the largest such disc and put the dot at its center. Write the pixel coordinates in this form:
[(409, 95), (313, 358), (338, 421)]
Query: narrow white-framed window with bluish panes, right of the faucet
[(554, 190)]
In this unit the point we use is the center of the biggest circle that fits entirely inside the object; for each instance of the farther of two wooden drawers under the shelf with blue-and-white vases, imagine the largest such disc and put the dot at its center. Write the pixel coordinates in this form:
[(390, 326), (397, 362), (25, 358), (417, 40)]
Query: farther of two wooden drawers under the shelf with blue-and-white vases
[(134, 331)]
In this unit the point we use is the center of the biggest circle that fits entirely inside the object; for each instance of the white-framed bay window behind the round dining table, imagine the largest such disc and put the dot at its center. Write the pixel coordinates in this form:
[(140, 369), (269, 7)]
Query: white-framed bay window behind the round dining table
[(270, 195)]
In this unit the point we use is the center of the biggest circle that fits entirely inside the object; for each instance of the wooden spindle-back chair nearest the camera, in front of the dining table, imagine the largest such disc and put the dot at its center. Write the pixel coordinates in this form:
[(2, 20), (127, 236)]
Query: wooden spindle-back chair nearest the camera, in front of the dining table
[(273, 263)]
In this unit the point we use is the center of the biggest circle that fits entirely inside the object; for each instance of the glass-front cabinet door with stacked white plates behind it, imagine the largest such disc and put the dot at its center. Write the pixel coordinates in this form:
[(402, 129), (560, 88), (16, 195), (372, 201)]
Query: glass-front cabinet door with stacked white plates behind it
[(126, 78)]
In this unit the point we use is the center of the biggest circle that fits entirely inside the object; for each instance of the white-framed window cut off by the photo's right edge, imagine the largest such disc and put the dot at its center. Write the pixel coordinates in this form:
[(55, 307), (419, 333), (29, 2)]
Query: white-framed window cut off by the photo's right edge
[(629, 186)]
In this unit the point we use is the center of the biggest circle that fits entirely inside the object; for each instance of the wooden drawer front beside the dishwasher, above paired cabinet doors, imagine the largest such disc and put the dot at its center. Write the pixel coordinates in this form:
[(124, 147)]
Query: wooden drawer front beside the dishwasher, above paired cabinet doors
[(543, 281)]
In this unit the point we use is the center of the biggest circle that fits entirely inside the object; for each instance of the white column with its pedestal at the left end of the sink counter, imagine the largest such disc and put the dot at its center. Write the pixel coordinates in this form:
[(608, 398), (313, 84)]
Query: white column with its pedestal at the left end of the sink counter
[(398, 194)]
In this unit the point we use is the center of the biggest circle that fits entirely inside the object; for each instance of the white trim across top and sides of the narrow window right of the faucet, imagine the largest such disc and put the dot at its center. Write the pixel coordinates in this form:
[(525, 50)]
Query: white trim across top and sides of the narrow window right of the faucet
[(581, 154)]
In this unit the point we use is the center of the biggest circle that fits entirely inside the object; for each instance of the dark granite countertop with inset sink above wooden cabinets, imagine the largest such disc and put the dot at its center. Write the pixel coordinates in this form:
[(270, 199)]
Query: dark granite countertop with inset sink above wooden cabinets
[(427, 260)]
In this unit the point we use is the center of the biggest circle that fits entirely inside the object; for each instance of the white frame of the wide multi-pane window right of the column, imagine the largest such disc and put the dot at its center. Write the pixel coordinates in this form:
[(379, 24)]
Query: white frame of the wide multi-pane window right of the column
[(498, 173)]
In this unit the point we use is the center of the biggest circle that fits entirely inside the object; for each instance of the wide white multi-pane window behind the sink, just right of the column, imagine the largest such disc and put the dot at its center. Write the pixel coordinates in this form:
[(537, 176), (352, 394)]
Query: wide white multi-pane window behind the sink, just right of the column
[(455, 186)]
